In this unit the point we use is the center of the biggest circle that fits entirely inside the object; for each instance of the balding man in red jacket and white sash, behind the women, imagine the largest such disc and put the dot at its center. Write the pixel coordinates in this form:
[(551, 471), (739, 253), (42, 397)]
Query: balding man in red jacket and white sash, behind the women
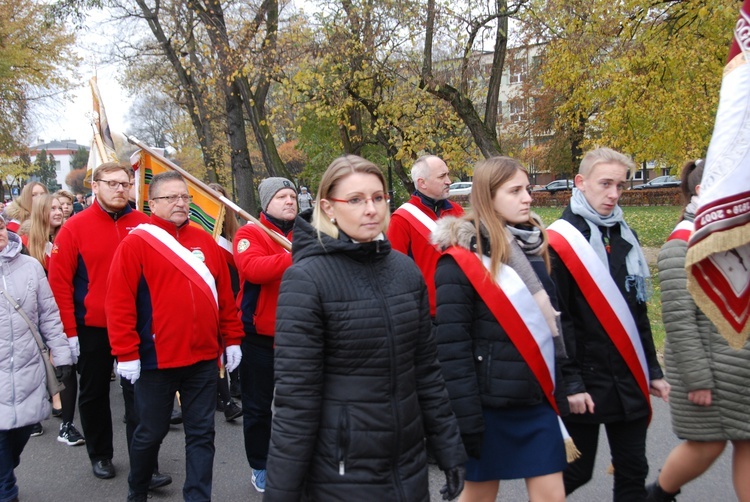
[(413, 222)]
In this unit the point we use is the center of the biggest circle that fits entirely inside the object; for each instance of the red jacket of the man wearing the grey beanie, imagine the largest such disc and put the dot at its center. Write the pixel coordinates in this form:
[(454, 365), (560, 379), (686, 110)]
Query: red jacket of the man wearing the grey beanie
[(261, 263)]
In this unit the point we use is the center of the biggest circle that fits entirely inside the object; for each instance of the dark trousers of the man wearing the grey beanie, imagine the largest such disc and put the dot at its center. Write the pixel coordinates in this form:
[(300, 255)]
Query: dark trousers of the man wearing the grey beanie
[(256, 380)]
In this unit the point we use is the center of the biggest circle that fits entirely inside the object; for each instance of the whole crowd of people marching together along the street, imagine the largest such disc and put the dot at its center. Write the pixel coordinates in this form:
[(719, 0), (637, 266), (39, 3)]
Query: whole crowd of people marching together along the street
[(366, 344)]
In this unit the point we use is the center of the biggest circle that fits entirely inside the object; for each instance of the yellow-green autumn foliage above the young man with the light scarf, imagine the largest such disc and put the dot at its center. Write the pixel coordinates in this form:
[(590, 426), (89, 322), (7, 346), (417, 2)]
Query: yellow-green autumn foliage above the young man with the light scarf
[(637, 76)]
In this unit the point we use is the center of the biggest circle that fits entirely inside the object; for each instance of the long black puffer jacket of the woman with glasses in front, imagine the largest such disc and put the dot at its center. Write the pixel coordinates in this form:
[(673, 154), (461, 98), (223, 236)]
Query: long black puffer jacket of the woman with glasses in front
[(358, 385)]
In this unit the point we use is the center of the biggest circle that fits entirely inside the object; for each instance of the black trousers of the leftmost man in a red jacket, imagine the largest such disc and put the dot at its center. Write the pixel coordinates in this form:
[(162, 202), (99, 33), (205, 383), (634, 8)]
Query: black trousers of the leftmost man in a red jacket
[(94, 368)]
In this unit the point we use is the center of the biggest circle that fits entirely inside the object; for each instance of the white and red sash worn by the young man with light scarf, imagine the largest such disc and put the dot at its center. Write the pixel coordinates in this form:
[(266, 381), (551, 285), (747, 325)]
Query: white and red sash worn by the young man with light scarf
[(603, 297)]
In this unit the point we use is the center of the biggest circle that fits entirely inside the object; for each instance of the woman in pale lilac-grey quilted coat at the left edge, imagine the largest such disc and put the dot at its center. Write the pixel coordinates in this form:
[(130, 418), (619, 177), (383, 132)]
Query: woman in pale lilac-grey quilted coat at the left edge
[(24, 399)]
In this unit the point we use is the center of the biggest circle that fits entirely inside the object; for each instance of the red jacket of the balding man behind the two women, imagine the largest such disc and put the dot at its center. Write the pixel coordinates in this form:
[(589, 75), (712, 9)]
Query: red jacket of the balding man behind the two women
[(405, 238)]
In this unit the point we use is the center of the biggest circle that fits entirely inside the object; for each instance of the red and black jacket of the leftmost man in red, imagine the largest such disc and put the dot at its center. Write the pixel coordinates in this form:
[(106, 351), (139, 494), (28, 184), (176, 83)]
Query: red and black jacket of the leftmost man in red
[(80, 260)]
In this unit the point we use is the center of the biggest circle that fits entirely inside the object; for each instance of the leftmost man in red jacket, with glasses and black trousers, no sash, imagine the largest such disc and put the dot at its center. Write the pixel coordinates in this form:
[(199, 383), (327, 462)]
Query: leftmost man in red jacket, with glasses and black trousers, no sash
[(78, 268)]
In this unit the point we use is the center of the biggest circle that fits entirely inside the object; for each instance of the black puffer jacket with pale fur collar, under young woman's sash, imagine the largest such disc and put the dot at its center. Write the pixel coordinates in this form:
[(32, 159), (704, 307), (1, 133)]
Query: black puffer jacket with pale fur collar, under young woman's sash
[(481, 365)]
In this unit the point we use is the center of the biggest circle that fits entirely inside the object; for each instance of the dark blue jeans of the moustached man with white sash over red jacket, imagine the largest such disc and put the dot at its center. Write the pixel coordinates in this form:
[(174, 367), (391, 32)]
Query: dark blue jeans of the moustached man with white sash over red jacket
[(154, 396)]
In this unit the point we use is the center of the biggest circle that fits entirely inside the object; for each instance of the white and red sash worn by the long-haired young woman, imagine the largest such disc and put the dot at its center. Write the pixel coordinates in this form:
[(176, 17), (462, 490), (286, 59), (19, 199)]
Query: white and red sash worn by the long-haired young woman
[(514, 308)]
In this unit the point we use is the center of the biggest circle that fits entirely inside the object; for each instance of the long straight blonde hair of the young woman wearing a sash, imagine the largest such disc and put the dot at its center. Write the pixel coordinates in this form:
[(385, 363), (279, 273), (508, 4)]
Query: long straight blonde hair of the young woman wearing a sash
[(489, 175)]
